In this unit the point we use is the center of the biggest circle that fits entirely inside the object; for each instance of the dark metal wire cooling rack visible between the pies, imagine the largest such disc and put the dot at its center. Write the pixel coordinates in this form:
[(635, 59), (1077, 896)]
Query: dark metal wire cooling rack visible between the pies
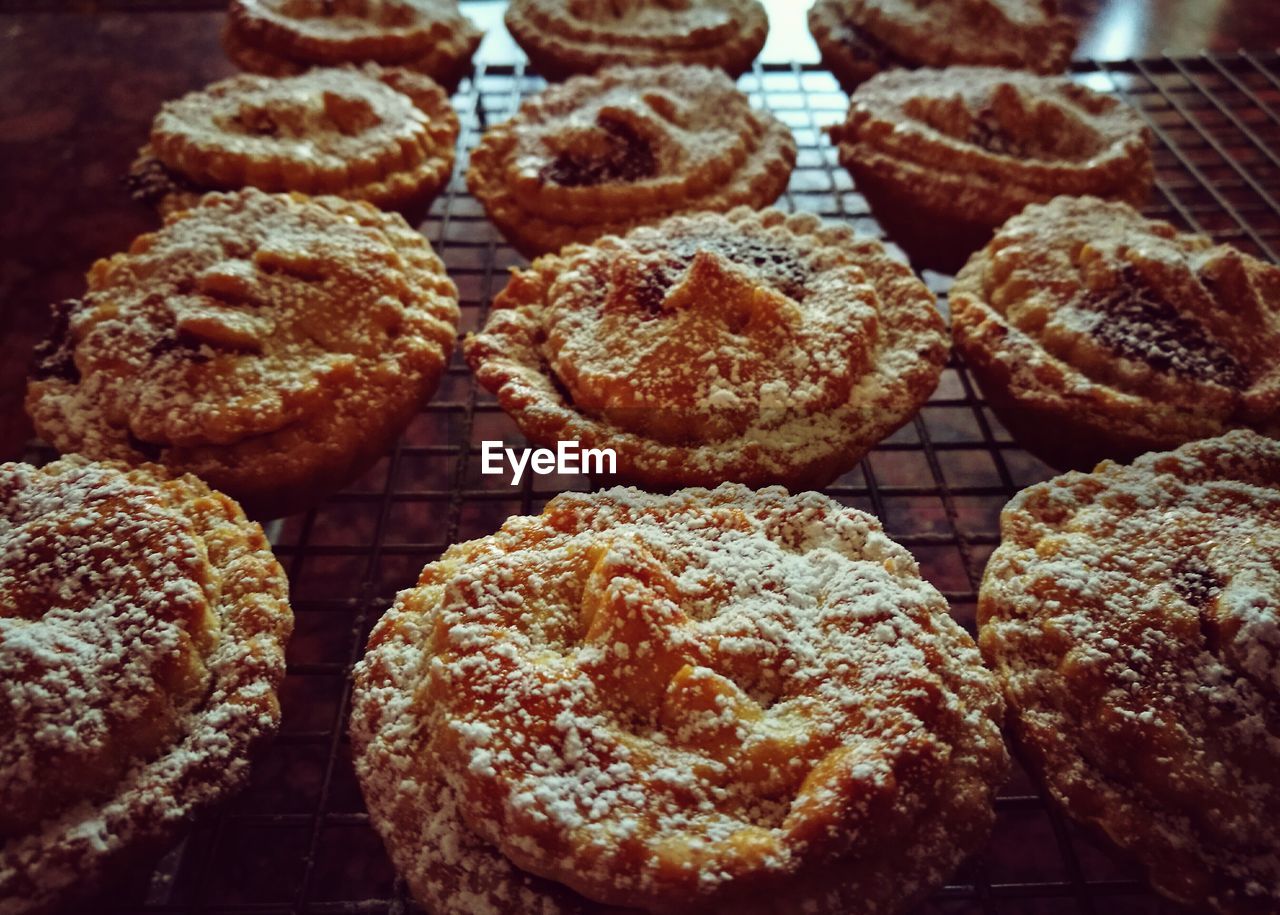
[(299, 839)]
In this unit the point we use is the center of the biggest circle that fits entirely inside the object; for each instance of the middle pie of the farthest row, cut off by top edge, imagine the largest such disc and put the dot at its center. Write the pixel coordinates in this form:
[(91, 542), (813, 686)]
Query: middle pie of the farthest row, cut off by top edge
[(580, 36)]
